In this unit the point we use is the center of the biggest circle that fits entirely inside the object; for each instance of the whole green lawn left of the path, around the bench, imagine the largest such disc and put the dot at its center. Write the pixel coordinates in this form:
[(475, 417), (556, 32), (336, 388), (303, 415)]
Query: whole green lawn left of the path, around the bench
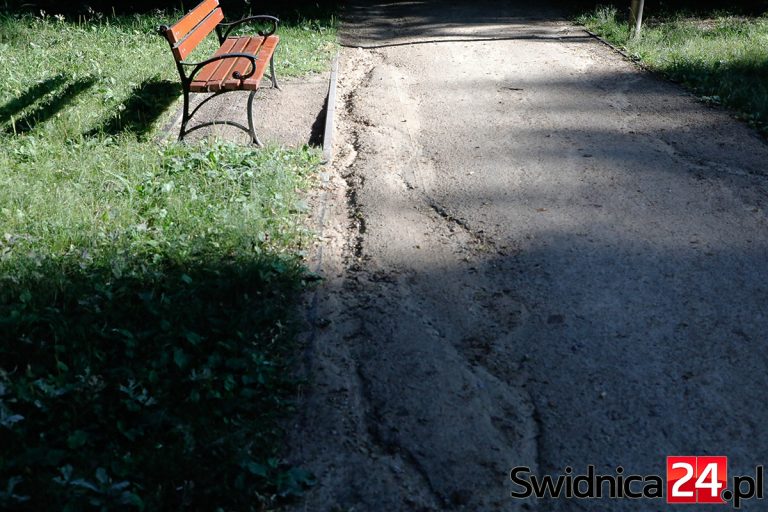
[(147, 290)]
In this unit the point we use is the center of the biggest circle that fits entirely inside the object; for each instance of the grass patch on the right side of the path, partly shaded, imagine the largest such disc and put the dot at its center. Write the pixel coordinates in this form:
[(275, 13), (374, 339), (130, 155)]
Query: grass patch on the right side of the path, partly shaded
[(722, 58)]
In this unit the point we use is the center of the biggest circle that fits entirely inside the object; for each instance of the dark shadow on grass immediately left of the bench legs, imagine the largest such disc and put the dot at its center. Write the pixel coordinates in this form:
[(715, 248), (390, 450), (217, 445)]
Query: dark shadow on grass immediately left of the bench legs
[(143, 107)]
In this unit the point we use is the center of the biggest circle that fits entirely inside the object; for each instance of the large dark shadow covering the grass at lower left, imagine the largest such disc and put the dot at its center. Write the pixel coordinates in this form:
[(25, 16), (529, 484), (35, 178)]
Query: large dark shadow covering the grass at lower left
[(159, 387)]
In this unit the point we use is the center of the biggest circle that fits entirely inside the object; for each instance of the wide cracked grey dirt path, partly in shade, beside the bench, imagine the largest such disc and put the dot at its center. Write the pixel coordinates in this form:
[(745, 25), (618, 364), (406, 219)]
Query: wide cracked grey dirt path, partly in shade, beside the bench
[(535, 254)]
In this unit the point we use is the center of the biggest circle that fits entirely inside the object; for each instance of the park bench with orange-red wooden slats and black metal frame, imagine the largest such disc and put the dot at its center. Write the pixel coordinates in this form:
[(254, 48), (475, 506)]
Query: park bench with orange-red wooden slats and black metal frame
[(238, 65)]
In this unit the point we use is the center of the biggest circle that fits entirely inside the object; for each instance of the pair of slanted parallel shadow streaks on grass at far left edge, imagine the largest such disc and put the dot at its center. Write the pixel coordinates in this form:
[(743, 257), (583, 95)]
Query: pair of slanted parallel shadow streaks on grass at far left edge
[(46, 110)]
